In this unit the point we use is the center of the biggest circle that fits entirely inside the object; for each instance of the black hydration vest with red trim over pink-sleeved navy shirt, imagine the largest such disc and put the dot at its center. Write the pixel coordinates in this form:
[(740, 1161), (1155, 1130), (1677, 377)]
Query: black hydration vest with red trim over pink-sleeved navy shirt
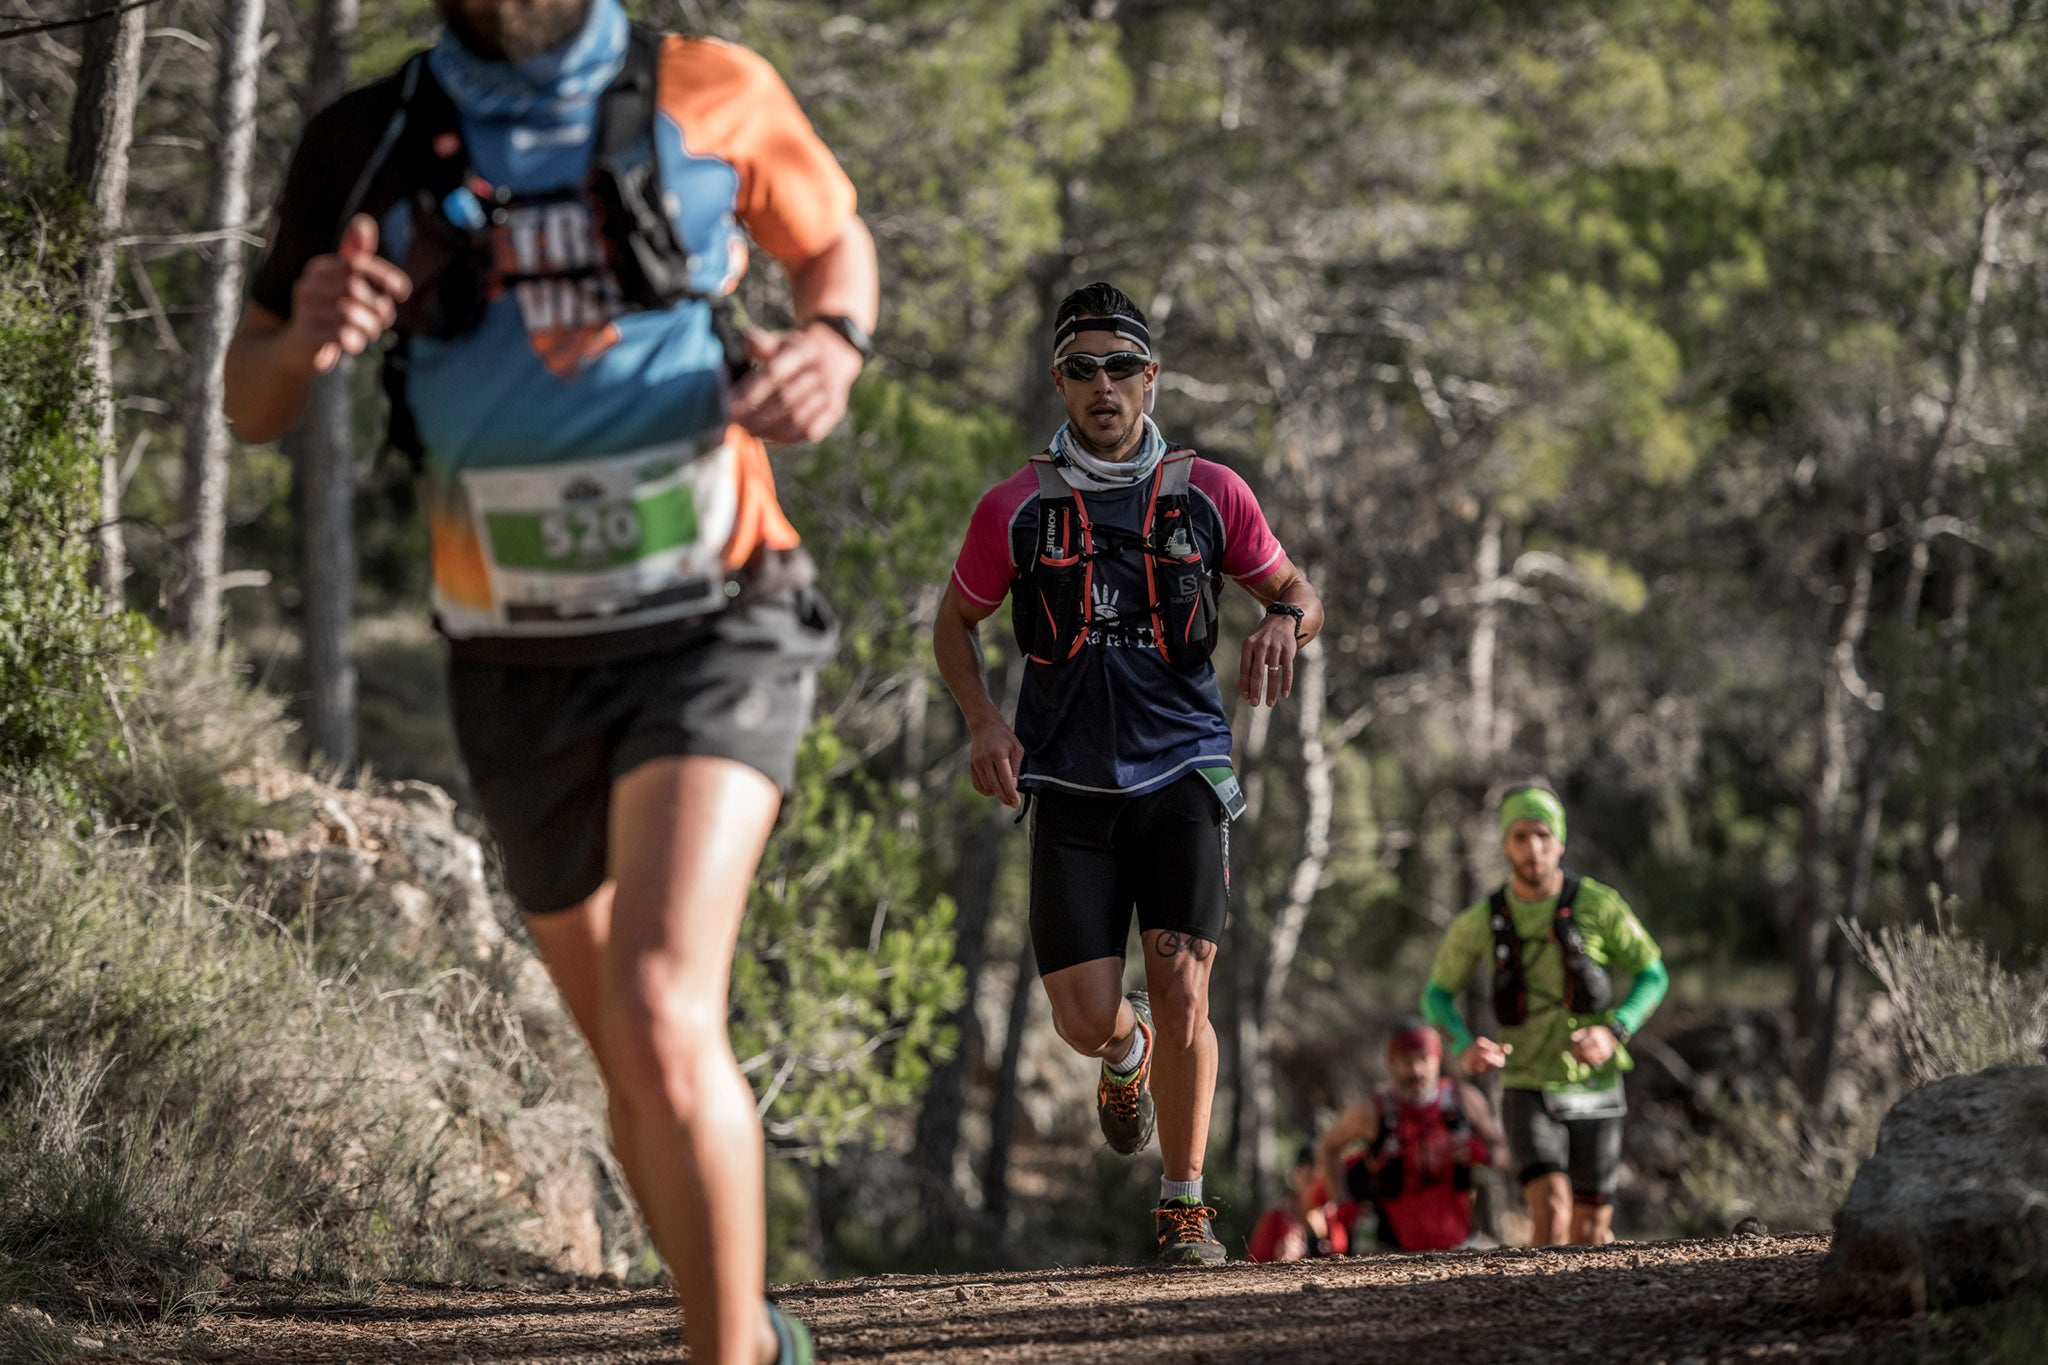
[(1056, 595)]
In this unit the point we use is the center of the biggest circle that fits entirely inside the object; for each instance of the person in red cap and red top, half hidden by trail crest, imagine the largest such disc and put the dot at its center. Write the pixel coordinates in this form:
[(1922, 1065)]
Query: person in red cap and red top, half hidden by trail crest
[(1422, 1139)]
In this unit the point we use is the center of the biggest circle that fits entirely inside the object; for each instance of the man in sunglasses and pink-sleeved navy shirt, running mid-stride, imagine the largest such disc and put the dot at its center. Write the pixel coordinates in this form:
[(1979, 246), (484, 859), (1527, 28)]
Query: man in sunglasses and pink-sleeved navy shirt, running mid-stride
[(1113, 547)]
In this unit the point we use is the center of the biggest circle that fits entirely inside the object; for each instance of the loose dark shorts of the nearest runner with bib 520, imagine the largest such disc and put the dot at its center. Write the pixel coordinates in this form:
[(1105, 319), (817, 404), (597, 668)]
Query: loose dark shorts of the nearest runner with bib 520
[(546, 744)]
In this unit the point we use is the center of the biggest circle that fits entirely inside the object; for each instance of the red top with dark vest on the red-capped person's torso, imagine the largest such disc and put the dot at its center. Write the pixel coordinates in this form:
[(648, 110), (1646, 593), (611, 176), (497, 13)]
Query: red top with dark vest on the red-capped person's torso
[(1422, 1170)]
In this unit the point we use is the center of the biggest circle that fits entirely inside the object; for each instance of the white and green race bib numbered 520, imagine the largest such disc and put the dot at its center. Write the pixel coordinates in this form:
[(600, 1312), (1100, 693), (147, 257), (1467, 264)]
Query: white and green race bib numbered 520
[(585, 547)]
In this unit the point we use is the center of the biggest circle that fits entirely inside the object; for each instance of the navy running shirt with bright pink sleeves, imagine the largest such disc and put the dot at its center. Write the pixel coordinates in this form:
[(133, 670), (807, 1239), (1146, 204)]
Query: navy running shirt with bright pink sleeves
[(1117, 719)]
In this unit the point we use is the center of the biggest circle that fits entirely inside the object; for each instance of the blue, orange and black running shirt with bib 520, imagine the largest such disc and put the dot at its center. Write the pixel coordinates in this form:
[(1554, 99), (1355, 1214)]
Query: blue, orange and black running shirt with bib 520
[(585, 488)]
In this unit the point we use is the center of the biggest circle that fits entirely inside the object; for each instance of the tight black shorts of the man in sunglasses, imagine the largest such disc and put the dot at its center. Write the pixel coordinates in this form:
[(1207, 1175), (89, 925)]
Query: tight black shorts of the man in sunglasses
[(1097, 858)]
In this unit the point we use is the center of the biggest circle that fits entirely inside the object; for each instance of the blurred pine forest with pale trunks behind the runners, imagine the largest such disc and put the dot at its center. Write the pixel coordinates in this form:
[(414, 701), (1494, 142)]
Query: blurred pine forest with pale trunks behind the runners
[(1646, 386)]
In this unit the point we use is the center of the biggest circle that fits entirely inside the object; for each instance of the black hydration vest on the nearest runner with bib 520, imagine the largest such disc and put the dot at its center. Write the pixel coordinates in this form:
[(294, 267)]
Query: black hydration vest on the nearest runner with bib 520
[(638, 263)]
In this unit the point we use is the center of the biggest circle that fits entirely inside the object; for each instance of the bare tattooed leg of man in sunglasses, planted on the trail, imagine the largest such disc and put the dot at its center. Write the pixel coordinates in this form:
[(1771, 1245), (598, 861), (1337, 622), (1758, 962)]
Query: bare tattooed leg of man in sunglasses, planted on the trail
[(1185, 1047)]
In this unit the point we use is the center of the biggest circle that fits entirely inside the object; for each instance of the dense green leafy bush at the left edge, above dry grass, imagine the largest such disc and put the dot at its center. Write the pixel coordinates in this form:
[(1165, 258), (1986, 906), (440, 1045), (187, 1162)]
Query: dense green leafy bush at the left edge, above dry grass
[(62, 658)]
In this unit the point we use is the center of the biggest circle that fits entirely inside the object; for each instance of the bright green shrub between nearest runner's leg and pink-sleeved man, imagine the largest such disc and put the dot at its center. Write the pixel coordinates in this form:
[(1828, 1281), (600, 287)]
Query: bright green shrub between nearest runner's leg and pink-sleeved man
[(845, 975)]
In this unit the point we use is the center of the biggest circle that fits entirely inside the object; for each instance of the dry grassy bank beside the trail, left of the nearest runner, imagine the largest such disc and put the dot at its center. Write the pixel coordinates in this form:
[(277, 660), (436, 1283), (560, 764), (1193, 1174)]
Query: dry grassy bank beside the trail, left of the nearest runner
[(198, 1088)]
